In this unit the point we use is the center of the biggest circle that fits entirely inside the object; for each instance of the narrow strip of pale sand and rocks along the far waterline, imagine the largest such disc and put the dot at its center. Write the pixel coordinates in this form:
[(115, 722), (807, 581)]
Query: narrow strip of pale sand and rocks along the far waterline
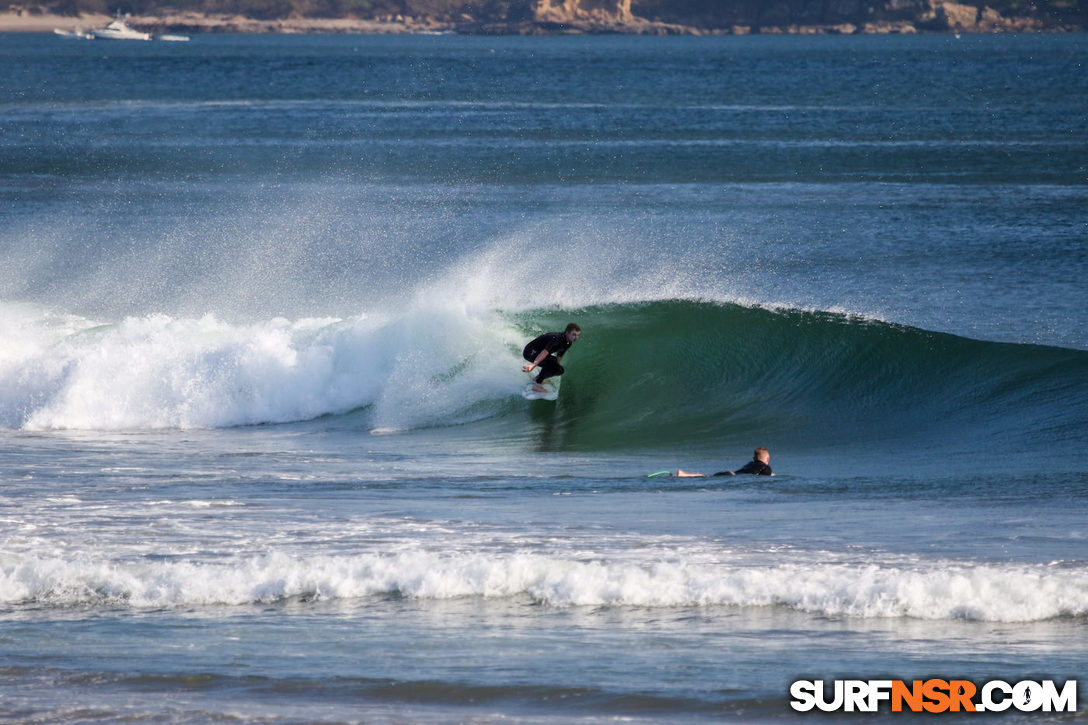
[(196, 23)]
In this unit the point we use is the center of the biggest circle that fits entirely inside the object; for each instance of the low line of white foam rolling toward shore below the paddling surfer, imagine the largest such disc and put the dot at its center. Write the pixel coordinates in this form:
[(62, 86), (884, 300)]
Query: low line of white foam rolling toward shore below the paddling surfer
[(939, 591)]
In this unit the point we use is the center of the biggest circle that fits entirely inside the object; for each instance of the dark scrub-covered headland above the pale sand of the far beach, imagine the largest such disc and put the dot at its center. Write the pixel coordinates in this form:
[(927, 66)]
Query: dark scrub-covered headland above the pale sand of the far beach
[(658, 17)]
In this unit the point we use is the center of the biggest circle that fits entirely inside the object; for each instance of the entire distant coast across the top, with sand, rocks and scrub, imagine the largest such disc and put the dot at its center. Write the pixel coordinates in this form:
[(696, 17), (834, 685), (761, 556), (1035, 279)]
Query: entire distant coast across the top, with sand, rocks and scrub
[(564, 17)]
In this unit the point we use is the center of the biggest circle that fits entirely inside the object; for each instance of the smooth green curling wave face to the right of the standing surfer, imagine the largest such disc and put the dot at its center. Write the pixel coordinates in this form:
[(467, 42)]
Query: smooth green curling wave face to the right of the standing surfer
[(686, 374)]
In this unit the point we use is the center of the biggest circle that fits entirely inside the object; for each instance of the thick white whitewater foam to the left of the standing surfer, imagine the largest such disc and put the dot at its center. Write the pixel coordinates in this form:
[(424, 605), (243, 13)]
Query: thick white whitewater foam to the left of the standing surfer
[(424, 366)]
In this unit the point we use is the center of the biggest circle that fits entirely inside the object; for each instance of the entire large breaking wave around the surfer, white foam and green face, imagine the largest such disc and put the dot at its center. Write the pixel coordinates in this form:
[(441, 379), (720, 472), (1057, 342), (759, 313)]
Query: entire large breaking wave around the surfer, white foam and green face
[(656, 373)]
